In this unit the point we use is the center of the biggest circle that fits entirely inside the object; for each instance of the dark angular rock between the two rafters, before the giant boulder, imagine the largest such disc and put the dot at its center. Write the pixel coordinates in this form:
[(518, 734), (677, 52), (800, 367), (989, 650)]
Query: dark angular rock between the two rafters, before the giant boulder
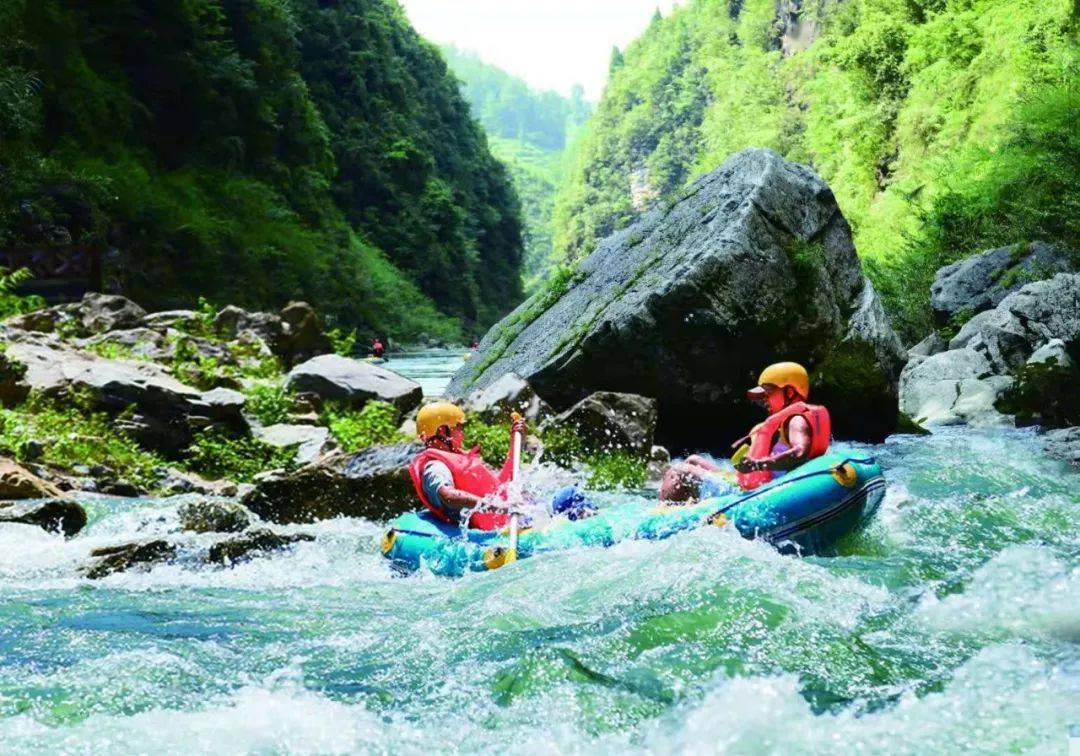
[(610, 422)]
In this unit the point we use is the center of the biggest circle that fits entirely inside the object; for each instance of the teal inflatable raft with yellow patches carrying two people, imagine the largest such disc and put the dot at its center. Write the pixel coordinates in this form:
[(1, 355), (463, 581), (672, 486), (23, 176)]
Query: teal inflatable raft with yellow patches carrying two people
[(806, 511)]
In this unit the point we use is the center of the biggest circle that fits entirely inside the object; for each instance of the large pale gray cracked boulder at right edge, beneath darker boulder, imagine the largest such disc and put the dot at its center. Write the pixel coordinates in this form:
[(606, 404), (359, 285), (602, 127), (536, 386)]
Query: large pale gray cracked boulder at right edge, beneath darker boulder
[(985, 375)]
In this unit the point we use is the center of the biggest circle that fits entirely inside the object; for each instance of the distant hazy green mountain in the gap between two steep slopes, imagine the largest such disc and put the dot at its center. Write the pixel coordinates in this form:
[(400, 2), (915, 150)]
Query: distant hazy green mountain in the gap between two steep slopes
[(529, 131)]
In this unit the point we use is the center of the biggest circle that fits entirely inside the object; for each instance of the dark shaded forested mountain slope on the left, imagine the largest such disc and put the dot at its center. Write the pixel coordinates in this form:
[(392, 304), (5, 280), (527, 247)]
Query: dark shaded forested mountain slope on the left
[(254, 152)]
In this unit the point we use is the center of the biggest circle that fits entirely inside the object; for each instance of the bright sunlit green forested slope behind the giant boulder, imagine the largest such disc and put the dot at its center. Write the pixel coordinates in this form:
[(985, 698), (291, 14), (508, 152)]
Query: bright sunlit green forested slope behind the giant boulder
[(944, 127)]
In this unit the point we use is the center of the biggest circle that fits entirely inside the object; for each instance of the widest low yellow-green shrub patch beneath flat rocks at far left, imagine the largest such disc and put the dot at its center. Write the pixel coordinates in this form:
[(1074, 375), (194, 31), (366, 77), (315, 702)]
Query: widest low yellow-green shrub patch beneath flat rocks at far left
[(72, 434)]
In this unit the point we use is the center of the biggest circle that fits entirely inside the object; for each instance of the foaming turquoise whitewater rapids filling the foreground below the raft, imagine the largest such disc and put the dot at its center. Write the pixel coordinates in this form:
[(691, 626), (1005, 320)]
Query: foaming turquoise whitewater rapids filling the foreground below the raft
[(952, 625)]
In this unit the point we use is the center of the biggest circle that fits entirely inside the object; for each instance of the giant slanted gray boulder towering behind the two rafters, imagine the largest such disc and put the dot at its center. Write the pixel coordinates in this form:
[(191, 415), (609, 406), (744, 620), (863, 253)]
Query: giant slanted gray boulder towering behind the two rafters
[(754, 265)]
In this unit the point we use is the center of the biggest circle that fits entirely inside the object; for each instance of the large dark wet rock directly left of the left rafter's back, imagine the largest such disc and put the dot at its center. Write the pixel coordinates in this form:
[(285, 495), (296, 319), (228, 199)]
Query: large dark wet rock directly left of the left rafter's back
[(373, 484)]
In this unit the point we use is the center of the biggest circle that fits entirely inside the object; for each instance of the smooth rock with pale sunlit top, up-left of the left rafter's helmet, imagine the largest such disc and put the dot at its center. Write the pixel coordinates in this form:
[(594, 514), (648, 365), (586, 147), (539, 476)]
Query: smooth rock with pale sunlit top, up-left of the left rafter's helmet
[(354, 383)]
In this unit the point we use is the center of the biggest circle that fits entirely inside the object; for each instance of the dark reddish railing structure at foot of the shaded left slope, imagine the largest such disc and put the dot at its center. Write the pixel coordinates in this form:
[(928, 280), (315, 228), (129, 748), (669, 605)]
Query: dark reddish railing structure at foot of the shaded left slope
[(61, 274)]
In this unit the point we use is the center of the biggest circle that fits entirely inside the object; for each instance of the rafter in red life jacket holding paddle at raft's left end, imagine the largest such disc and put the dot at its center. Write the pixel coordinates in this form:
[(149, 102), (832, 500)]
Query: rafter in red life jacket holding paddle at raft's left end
[(450, 480)]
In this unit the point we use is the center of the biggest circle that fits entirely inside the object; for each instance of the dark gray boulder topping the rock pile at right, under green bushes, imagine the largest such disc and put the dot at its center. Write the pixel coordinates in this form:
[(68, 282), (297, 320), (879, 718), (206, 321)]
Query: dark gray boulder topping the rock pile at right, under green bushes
[(980, 282)]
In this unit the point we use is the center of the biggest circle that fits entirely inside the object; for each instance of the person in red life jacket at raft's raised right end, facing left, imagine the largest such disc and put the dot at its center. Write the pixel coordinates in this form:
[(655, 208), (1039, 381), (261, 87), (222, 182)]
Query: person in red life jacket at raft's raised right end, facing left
[(794, 434)]
